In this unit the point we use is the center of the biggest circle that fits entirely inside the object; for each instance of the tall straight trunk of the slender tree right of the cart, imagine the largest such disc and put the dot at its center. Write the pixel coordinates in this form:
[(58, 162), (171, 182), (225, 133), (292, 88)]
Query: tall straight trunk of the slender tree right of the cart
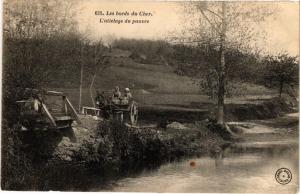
[(221, 89)]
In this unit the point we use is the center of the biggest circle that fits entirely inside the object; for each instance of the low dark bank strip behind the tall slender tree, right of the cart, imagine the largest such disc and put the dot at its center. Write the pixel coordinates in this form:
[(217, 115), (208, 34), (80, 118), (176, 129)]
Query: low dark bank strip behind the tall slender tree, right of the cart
[(235, 109)]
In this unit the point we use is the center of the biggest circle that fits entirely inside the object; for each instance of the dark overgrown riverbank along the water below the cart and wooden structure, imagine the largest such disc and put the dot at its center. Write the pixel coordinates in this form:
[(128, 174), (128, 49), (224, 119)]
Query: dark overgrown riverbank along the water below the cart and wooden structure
[(102, 151)]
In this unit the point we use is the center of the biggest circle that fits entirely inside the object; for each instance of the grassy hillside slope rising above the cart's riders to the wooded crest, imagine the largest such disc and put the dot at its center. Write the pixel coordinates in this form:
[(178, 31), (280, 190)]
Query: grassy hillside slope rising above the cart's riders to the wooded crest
[(126, 72)]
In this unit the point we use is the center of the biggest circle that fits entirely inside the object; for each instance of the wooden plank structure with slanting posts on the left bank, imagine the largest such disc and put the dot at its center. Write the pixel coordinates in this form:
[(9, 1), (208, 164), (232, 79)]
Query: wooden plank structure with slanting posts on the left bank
[(46, 109)]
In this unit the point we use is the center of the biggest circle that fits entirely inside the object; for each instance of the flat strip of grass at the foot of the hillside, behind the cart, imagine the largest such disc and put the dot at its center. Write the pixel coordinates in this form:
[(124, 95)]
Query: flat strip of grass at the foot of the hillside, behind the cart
[(167, 99)]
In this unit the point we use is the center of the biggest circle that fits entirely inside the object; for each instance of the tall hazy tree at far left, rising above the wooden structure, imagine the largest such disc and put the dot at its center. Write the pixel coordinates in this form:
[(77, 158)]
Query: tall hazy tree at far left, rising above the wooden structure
[(30, 49)]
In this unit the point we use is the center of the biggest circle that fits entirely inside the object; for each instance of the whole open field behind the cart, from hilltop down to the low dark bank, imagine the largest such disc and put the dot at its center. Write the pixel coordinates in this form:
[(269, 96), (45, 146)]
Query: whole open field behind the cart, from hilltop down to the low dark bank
[(160, 92)]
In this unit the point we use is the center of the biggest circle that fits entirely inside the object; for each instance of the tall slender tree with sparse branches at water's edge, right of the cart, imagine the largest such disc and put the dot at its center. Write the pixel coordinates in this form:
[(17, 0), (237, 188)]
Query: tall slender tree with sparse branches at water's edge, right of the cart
[(221, 26)]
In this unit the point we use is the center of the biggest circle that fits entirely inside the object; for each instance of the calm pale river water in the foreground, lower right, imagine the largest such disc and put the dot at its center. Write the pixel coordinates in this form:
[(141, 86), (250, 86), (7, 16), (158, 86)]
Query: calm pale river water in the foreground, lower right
[(246, 166)]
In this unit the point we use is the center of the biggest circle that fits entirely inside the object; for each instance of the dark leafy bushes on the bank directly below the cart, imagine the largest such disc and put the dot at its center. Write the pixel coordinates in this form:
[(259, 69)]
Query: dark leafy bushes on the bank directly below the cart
[(118, 146)]
